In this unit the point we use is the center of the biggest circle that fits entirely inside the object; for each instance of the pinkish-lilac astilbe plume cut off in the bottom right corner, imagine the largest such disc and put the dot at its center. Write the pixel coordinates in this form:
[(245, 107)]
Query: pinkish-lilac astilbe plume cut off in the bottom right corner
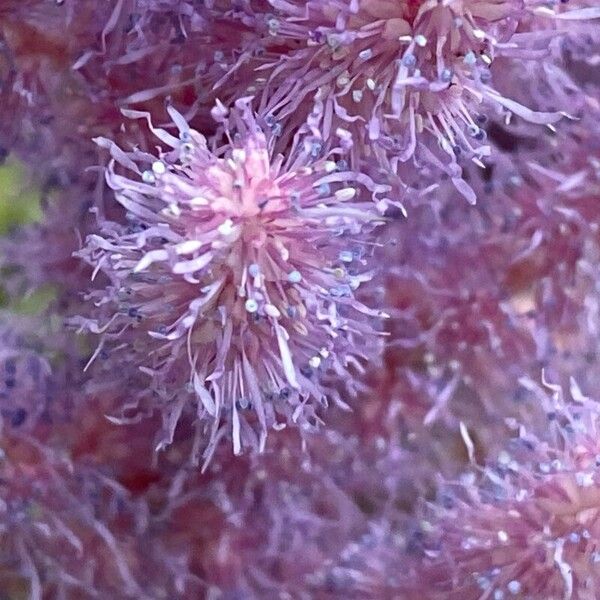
[(526, 526)]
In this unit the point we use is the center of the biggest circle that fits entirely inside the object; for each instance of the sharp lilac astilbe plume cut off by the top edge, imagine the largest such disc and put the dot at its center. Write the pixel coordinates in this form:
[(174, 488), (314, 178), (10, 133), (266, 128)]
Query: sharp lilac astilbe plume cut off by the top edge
[(386, 79)]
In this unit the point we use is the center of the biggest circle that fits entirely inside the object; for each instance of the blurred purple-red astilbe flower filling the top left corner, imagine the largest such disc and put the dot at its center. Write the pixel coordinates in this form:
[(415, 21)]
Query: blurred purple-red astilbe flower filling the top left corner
[(67, 68)]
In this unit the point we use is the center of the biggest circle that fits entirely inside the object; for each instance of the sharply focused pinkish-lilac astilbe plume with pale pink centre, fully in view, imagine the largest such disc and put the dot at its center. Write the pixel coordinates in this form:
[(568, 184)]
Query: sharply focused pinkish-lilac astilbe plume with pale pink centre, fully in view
[(233, 286)]
